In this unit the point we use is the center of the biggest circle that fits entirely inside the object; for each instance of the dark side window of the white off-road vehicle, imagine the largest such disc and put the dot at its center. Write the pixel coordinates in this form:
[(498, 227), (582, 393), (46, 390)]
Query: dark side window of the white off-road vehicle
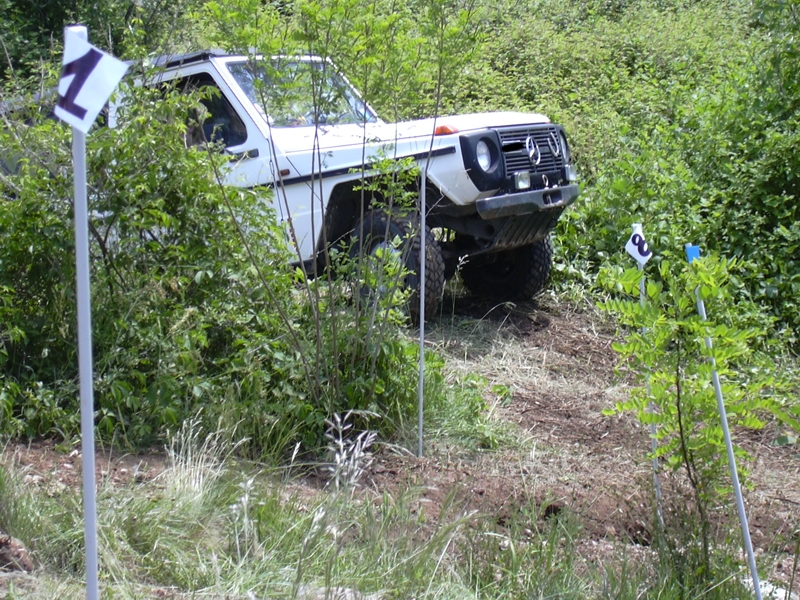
[(214, 120)]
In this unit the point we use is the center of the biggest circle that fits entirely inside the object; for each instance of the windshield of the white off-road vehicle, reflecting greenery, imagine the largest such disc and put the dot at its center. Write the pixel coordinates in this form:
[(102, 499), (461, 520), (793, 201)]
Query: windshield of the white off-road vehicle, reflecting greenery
[(294, 93)]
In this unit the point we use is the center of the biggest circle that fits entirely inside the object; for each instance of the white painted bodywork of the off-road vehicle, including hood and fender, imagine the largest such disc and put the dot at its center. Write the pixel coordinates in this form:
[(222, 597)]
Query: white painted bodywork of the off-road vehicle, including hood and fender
[(299, 166)]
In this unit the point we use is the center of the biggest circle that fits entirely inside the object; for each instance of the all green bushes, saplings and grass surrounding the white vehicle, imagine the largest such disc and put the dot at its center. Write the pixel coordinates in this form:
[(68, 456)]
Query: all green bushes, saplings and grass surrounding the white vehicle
[(683, 116)]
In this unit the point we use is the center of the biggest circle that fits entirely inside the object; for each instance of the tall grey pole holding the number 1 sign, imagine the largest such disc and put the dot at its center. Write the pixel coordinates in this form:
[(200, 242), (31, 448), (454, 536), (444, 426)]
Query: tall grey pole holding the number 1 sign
[(85, 350)]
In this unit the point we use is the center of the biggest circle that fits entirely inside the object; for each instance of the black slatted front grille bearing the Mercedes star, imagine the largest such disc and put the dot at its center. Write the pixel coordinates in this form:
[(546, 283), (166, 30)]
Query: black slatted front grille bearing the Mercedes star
[(513, 140)]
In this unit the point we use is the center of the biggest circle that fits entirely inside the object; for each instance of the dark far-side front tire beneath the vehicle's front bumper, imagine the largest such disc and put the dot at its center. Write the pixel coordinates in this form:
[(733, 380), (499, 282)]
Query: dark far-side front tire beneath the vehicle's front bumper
[(518, 274)]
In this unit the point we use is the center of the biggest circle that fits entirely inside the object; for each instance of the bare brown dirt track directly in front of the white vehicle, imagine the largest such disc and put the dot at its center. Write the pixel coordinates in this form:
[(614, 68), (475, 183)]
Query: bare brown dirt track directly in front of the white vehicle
[(572, 457)]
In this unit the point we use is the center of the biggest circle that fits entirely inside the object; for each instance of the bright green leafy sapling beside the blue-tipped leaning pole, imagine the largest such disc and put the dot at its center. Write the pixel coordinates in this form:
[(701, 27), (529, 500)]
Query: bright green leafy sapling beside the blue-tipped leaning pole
[(672, 363)]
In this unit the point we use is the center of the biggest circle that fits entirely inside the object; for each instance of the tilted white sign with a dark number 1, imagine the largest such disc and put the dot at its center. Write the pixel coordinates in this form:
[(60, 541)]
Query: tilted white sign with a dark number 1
[(87, 80)]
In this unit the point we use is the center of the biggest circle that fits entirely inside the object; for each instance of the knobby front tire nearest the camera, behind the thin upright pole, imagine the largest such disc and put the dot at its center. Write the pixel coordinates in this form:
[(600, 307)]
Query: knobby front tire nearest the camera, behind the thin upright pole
[(379, 229)]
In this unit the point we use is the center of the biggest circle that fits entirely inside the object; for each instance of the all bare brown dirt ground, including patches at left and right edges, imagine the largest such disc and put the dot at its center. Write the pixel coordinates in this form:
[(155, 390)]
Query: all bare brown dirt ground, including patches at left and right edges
[(560, 369)]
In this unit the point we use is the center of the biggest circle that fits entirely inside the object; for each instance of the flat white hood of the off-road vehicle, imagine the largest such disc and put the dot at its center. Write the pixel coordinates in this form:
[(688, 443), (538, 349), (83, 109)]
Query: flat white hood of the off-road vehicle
[(329, 137)]
